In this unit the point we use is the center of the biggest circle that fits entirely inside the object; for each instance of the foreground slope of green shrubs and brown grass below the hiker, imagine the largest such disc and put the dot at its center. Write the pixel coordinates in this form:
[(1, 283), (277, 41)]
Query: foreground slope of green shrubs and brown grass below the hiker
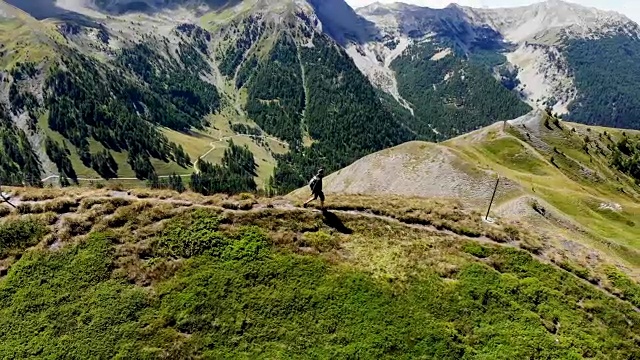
[(90, 273)]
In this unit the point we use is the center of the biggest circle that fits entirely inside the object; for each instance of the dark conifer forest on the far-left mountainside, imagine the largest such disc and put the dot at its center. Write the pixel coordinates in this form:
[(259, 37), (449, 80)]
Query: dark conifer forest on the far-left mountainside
[(118, 105)]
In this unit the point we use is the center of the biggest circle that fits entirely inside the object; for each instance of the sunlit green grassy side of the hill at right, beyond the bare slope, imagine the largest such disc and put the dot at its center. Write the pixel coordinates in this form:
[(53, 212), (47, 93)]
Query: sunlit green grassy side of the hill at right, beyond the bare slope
[(554, 162)]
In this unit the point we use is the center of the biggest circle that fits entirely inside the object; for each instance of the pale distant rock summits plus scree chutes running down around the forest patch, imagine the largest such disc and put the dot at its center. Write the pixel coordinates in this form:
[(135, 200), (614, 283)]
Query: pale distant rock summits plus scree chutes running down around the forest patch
[(531, 37)]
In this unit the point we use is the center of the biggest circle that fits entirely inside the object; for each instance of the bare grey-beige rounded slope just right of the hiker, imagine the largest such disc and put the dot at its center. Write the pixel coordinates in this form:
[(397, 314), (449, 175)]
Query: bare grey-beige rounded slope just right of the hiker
[(418, 169)]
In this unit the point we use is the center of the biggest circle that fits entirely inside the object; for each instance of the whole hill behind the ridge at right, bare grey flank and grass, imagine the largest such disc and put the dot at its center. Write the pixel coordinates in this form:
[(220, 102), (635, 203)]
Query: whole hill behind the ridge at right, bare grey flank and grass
[(550, 179)]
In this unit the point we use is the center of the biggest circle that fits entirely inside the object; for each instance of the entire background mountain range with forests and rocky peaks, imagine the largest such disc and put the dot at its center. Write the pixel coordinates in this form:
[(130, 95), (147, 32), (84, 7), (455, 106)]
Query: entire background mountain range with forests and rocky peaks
[(143, 89)]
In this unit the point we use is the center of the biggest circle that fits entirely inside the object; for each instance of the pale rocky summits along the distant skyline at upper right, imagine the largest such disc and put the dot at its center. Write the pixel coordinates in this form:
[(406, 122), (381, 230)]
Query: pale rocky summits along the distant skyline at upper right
[(543, 22)]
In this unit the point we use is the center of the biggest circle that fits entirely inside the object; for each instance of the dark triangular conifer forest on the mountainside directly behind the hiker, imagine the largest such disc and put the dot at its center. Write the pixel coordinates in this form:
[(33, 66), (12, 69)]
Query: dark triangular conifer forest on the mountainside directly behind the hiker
[(343, 115)]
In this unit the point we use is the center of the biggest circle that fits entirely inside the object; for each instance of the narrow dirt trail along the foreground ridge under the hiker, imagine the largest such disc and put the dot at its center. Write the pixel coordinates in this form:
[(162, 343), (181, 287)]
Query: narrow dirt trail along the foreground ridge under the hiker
[(286, 205)]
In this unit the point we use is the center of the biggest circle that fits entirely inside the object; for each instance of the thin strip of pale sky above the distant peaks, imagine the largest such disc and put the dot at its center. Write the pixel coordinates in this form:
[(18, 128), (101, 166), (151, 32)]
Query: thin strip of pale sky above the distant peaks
[(630, 8)]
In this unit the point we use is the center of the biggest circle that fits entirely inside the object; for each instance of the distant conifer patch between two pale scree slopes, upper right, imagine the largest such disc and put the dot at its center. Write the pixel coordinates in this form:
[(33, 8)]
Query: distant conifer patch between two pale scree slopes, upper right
[(453, 95)]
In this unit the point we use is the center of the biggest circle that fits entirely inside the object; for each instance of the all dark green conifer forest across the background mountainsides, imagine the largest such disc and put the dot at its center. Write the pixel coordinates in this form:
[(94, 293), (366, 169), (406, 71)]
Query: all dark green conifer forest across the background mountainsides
[(310, 95)]
